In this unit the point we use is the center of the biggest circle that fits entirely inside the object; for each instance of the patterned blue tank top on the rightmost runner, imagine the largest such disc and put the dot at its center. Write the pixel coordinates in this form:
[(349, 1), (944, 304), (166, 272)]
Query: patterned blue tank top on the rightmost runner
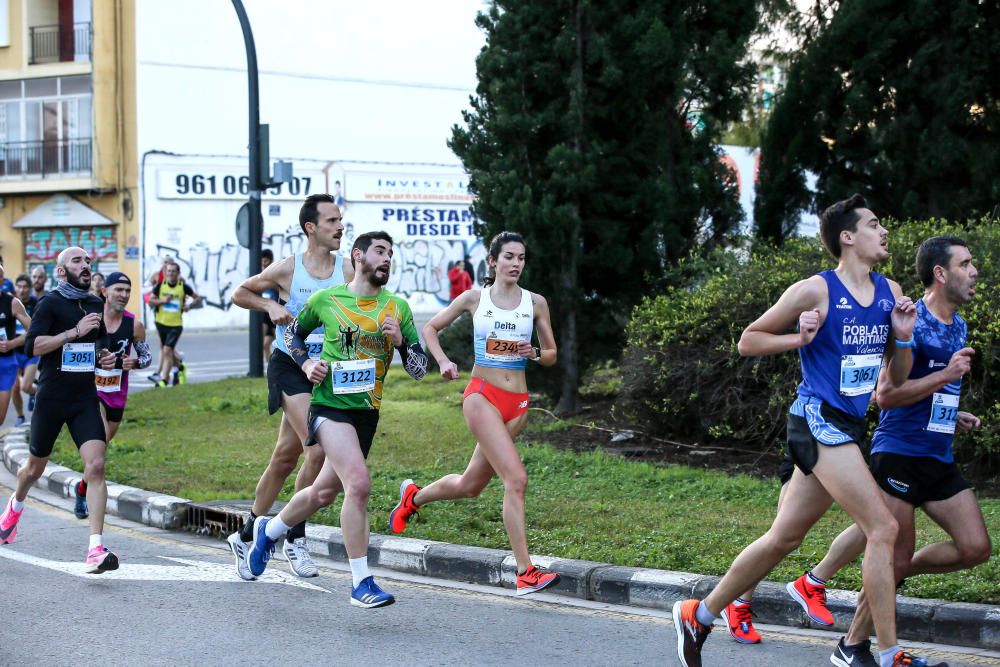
[(927, 427)]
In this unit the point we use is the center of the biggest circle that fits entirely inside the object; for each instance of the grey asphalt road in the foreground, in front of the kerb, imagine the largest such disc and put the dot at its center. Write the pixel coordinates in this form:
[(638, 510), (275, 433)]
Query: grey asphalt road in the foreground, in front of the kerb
[(176, 601)]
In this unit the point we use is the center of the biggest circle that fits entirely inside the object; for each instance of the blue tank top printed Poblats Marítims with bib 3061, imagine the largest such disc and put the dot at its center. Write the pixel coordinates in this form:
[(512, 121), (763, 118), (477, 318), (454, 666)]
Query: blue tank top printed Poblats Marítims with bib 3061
[(841, 364)]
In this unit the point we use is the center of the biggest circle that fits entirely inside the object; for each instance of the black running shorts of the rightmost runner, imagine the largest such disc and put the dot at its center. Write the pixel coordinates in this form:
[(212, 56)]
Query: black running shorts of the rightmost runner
[(916, 479)]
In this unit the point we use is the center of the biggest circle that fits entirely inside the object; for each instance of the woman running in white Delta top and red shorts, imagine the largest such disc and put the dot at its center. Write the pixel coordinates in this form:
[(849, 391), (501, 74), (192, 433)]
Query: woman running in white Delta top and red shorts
[(496, 401)]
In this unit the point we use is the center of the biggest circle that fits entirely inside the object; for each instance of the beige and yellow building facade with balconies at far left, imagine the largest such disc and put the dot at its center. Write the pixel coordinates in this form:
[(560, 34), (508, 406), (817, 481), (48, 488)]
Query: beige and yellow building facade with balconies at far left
[(68, 171)]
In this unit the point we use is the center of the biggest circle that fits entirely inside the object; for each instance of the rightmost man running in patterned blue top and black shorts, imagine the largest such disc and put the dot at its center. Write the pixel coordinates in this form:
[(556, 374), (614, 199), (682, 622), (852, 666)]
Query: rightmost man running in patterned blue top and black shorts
[(912, 458)]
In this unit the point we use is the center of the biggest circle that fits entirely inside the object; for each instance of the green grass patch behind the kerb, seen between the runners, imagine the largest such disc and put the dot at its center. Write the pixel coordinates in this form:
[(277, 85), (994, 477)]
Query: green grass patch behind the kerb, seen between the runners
[(211, 442)]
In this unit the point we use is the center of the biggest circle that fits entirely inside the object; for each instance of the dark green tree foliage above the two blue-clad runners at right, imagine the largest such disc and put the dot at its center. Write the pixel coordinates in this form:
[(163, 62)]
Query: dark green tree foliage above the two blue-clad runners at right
[(897, 100)]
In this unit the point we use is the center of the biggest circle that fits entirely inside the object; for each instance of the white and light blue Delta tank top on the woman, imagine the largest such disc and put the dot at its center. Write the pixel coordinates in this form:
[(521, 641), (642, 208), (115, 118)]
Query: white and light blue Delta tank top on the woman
[(497, 331)]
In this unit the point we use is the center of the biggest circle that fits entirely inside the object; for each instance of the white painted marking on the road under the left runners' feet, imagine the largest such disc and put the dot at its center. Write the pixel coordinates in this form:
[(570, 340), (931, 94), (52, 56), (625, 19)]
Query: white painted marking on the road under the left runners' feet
[(197, 571)]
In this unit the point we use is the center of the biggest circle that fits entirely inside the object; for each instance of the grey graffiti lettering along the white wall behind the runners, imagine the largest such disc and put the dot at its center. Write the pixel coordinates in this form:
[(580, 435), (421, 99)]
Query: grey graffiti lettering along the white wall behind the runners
[(419, 267)]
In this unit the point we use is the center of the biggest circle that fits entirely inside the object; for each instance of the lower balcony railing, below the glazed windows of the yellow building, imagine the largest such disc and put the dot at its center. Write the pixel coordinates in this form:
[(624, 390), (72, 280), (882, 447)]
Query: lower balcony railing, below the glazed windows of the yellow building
[(45, 159)]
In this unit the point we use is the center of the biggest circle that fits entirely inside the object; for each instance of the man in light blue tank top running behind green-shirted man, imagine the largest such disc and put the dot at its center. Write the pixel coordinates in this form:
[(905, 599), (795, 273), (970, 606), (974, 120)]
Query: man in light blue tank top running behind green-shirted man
[(295, 279)]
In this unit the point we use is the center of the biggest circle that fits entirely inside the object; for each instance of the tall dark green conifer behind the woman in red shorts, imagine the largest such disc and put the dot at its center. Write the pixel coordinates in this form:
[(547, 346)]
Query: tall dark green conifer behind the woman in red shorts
[(580, 138)]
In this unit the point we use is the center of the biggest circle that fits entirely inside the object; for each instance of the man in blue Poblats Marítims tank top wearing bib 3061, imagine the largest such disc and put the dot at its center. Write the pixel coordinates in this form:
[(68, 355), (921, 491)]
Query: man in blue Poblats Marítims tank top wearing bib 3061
[(849, 321)]
